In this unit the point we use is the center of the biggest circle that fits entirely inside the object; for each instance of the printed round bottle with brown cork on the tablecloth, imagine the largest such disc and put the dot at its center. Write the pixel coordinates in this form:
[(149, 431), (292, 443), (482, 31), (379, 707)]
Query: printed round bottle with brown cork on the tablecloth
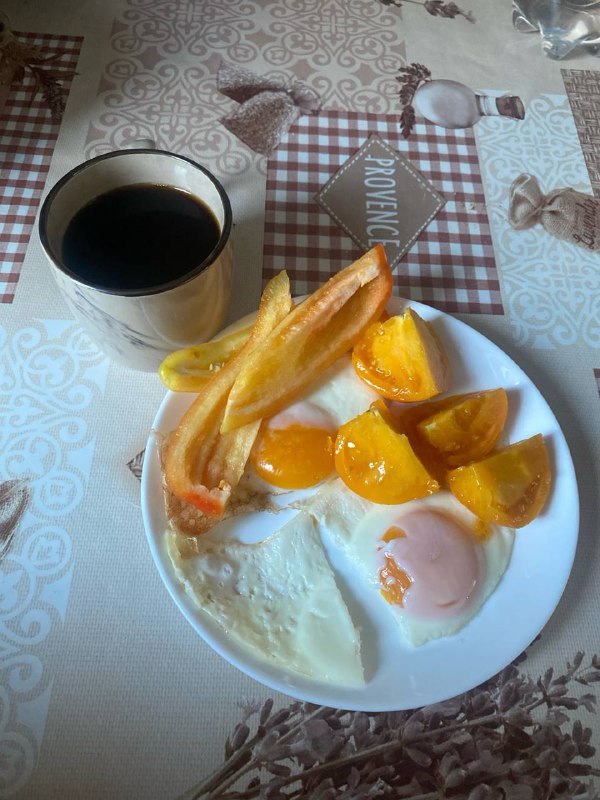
[(453, 105)]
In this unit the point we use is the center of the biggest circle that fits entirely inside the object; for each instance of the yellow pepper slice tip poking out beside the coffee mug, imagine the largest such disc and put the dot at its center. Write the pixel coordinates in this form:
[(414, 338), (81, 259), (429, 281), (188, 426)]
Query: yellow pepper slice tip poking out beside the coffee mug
[(188, 369)]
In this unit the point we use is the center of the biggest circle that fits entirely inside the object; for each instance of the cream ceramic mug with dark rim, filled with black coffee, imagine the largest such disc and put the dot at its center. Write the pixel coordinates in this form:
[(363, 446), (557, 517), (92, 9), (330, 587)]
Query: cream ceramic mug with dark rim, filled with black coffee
[(139, 243)]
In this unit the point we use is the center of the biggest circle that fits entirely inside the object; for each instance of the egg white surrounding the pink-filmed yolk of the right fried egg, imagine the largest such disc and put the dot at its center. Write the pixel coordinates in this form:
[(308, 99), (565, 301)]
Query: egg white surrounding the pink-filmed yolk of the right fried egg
[(356, 526)]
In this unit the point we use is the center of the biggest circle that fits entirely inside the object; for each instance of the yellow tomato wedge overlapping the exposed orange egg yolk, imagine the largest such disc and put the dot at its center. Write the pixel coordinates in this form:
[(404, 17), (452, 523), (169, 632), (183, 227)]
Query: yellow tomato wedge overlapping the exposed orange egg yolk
[(378, 463)]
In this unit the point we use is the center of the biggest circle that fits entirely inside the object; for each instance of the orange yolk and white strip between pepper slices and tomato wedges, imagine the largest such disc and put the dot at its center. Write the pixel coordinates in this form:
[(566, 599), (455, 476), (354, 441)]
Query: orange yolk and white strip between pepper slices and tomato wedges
[(294, 448)]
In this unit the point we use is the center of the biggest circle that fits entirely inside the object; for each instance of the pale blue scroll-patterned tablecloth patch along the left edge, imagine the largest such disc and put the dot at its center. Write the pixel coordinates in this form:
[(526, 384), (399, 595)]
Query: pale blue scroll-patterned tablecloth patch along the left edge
[(51, 372)]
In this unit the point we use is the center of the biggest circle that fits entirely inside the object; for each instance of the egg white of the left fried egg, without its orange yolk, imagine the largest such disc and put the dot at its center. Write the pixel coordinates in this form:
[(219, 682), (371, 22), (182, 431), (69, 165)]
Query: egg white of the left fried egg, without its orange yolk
[(278, 597)]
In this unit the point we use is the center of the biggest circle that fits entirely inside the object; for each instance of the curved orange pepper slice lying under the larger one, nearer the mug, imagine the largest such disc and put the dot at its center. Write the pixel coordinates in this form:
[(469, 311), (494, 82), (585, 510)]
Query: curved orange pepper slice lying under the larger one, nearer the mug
[(201, 466)]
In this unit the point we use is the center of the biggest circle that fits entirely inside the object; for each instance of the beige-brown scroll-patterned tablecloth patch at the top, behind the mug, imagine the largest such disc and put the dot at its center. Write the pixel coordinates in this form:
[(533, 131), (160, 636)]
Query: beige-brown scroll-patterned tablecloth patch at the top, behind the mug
[(161, 84)]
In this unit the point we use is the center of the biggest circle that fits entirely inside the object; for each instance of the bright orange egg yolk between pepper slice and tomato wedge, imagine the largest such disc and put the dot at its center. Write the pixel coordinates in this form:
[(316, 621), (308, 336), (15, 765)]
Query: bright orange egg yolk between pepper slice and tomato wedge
[(294, 457)]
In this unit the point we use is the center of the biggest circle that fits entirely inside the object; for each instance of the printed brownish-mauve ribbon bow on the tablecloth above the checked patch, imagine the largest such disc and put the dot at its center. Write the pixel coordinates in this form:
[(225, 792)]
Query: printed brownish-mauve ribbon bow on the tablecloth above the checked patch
[(267, 107)]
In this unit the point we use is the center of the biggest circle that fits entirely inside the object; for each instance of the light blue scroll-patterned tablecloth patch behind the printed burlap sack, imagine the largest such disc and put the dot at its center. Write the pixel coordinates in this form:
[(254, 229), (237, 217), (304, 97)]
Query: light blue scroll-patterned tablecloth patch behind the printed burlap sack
[(551, 288)]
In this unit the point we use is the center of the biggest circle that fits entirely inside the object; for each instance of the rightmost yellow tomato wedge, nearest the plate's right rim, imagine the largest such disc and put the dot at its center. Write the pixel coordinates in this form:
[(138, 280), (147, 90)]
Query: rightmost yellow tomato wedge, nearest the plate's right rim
[(509, 487)]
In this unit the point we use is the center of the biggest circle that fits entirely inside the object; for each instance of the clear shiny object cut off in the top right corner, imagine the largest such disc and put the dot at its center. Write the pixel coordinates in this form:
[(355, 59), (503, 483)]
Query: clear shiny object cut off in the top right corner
[(563, 24)]
